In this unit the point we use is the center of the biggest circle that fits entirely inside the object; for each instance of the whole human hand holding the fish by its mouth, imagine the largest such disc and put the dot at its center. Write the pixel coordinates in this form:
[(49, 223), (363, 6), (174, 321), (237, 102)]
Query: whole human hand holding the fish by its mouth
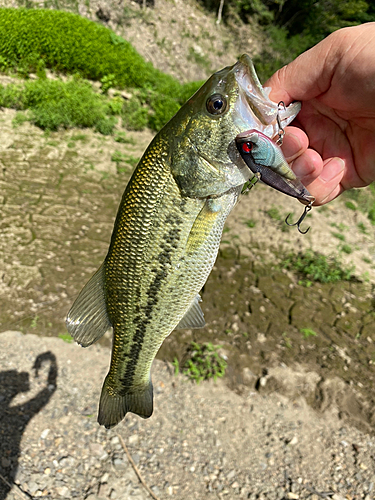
[(332, 145)]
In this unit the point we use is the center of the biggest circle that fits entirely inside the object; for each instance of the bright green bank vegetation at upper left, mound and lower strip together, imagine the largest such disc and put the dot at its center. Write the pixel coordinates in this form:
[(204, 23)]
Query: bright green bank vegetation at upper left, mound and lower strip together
[(33, 40)]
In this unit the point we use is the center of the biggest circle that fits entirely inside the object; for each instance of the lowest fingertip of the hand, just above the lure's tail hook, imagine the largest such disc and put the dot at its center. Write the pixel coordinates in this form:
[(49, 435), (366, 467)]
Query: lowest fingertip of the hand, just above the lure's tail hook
[(328, 184)]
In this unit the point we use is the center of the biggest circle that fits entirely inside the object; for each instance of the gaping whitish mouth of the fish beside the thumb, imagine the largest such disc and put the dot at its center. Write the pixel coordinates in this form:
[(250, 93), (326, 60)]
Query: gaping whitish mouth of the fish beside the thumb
[(254, 106)]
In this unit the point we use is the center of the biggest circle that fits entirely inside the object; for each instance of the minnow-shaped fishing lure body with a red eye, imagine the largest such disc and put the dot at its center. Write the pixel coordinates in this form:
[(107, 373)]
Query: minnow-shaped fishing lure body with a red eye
[(265, 159)]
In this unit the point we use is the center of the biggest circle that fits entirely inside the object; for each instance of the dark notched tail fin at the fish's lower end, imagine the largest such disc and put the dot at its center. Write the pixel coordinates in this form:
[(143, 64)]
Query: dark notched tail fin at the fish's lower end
[(113, 408)]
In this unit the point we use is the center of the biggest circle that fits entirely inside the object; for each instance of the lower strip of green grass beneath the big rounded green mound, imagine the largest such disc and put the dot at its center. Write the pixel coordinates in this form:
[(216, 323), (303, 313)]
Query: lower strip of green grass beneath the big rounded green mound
[(55, 104)]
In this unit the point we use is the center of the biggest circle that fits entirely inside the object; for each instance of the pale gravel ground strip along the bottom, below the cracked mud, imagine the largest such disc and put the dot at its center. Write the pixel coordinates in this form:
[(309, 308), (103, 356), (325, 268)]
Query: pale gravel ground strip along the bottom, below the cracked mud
[(203, 441)]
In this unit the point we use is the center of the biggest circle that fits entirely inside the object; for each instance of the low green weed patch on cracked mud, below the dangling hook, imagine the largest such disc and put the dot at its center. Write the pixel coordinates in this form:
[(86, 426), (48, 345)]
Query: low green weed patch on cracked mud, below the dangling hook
[(318, 267)]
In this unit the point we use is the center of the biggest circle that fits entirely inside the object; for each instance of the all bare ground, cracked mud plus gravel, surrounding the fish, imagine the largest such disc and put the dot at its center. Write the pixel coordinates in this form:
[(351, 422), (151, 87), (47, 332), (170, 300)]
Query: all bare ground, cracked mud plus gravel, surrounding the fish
[(293, 417)]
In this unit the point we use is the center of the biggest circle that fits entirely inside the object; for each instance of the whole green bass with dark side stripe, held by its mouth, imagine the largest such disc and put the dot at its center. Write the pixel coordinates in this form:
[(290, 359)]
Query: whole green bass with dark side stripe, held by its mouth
[(167, 232)]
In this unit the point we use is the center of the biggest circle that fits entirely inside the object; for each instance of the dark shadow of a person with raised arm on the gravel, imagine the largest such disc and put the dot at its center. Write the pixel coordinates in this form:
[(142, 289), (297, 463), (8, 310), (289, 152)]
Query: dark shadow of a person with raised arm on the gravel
[(14, 419)]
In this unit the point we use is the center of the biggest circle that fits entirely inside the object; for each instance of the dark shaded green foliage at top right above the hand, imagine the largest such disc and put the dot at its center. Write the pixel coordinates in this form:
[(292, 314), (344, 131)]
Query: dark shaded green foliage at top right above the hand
[(292, 26)]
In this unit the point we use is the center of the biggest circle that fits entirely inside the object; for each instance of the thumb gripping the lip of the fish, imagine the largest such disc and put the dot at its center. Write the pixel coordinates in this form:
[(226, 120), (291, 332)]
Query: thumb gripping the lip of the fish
[(308, 76)]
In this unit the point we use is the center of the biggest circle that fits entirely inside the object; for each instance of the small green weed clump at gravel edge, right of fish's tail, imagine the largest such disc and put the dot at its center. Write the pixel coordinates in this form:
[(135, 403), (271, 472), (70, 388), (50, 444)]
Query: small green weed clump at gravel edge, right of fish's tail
[(204, 362)]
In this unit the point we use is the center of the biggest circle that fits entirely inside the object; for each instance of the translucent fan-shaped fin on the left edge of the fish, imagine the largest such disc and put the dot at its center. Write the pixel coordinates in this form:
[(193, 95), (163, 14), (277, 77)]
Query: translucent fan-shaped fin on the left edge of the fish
[(87, 320)]
